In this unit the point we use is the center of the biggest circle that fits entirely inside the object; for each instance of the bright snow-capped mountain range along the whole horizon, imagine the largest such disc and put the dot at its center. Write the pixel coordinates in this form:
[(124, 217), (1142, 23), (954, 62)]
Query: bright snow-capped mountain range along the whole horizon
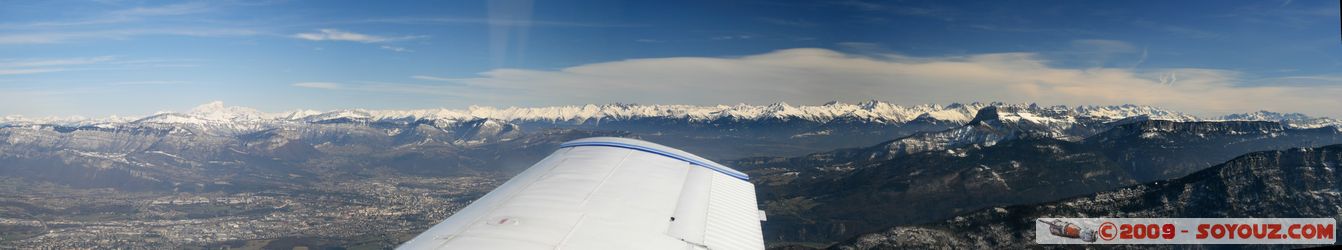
[(878, 112)]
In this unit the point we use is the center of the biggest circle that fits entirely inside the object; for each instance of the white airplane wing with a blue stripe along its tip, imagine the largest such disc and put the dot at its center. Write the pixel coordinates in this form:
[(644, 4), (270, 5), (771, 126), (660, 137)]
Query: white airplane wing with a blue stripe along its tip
[(610, 193)]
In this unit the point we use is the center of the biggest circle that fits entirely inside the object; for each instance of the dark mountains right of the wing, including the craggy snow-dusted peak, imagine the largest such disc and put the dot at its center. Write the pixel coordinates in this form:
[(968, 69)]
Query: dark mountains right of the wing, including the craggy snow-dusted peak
[(994, 161)]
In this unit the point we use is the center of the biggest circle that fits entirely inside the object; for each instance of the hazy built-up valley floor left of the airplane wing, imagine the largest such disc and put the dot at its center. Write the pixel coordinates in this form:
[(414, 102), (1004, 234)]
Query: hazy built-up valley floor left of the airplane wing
[(378, 213)]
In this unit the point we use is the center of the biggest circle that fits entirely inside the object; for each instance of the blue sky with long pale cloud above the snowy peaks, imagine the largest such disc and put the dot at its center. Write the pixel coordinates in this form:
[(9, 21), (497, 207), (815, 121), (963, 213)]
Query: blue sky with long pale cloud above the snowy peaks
[(113, 57)]
